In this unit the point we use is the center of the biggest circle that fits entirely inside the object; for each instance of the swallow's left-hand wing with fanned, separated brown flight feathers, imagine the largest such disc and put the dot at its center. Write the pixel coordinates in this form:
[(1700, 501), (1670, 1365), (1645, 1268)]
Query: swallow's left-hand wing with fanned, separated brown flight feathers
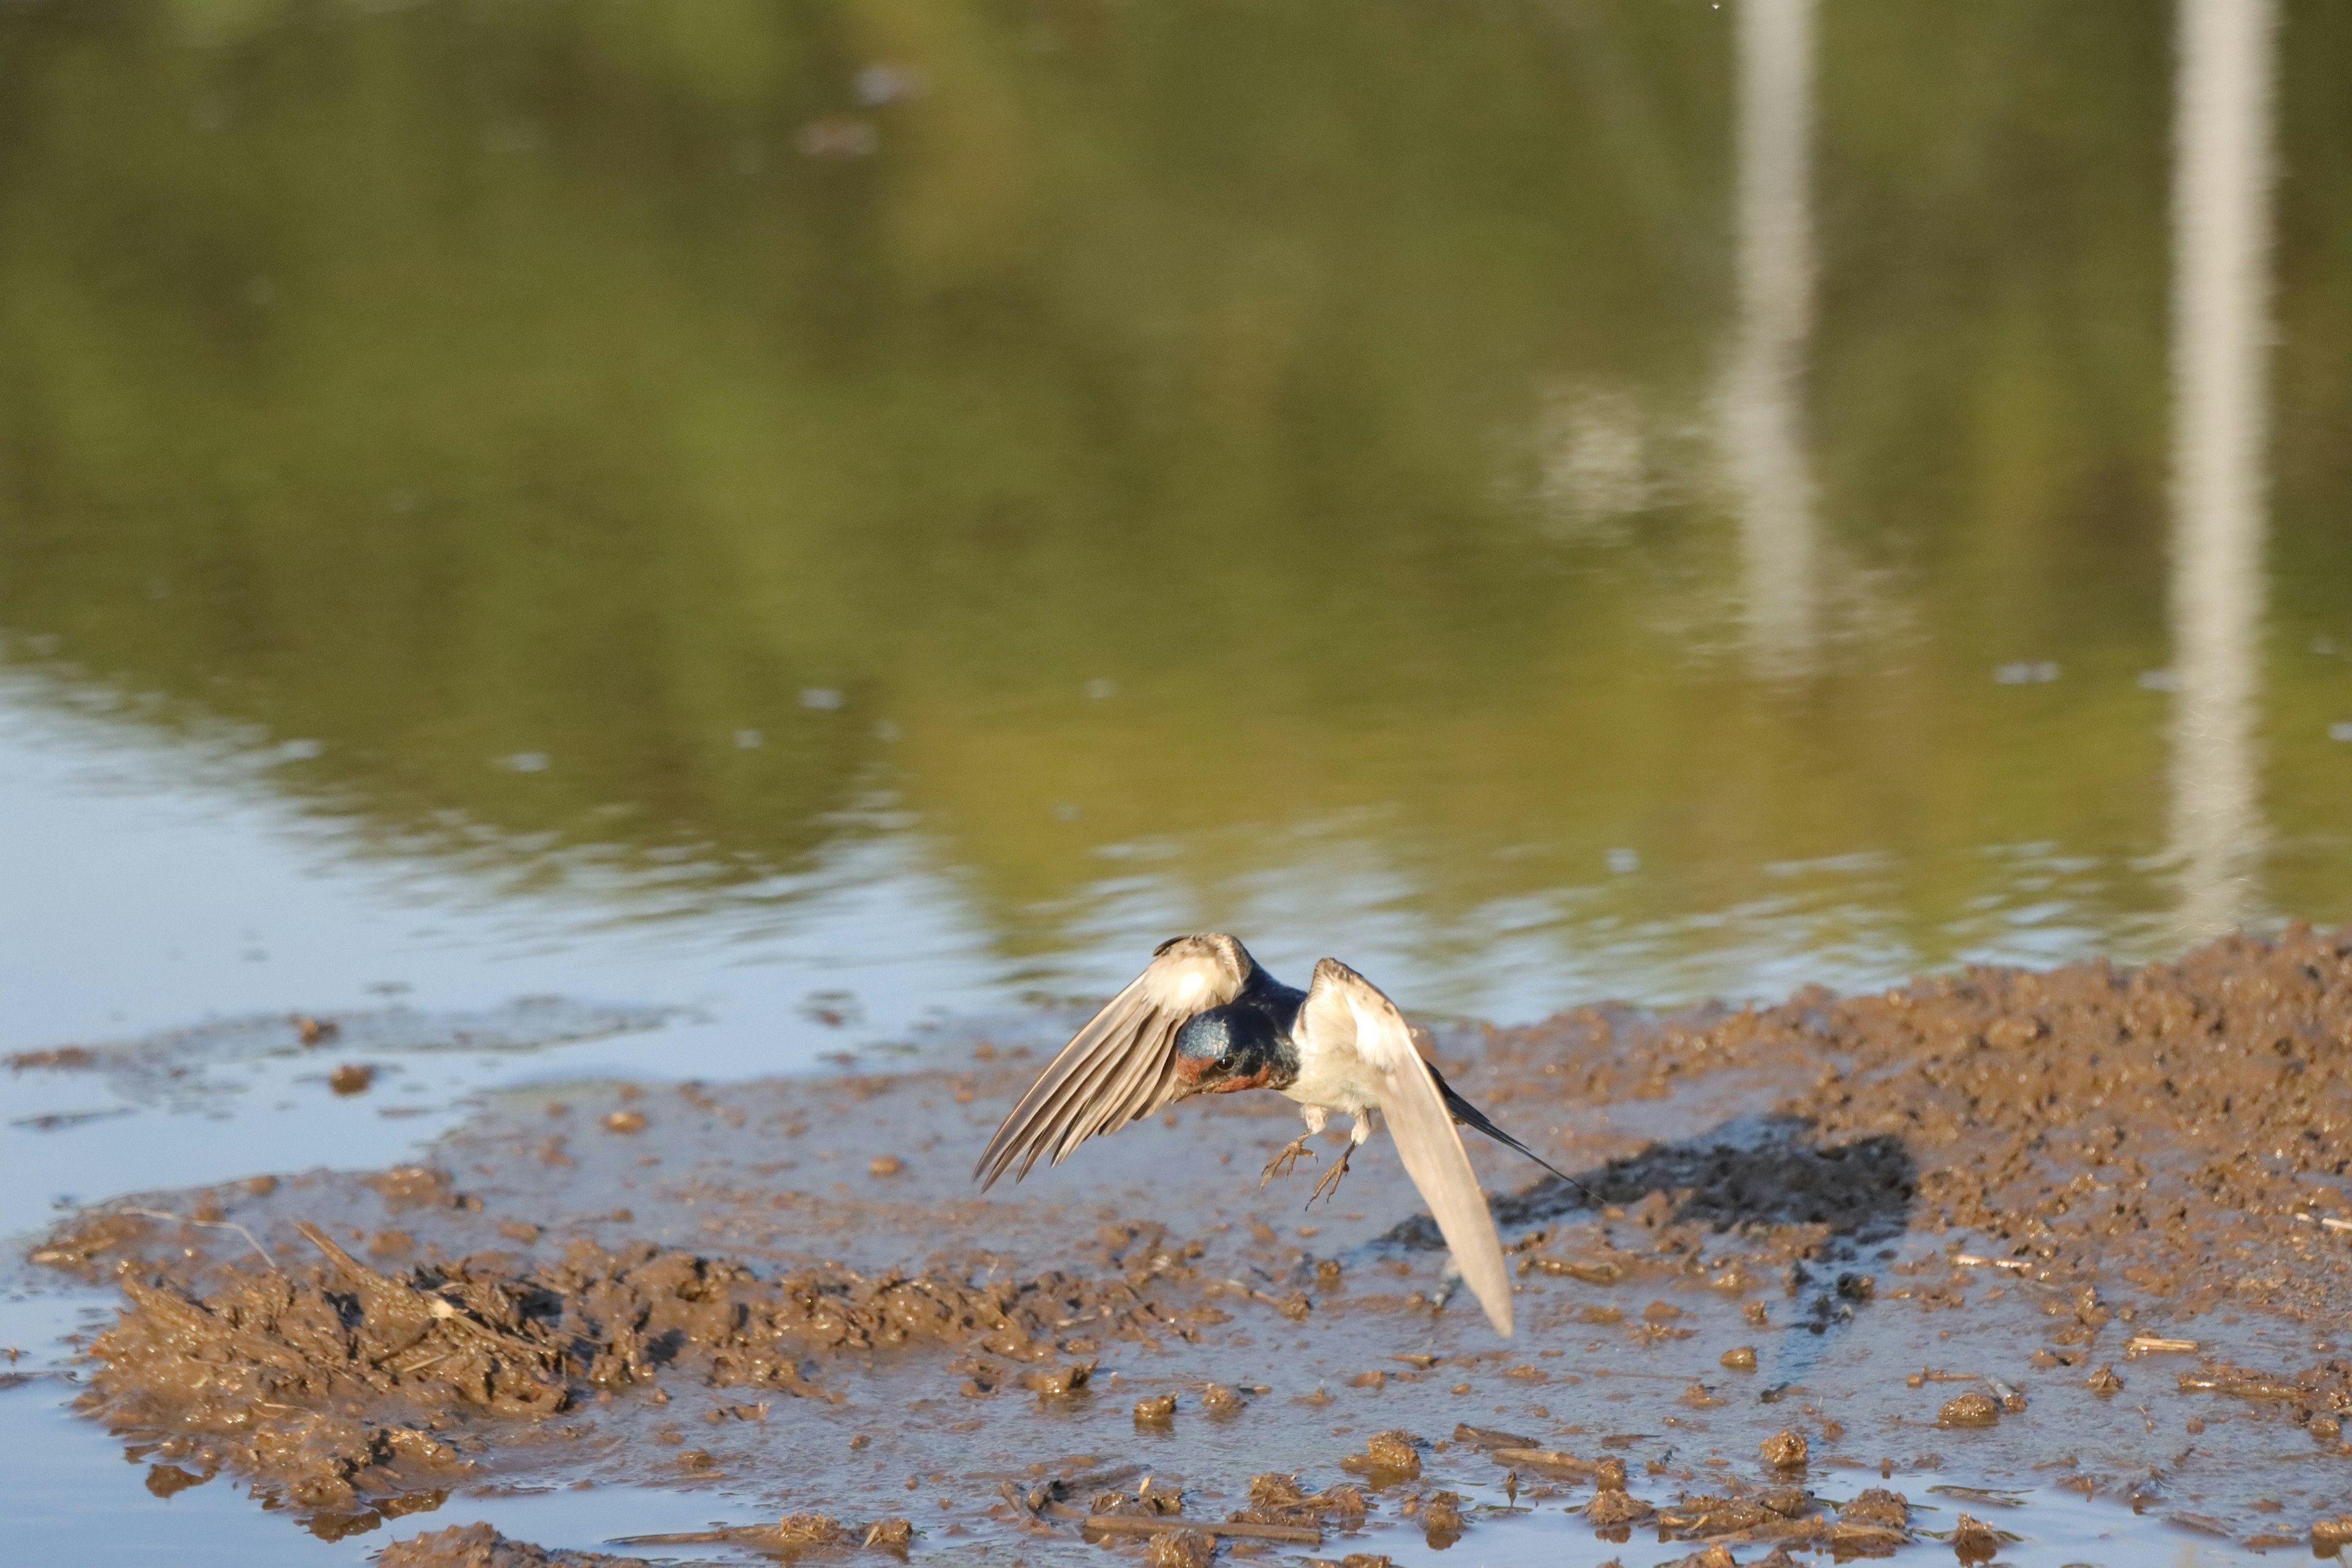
[(1123, 1064)]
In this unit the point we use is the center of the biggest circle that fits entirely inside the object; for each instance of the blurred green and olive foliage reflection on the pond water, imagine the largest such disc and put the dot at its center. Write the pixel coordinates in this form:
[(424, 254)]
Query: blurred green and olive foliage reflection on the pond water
[(1335, 387)]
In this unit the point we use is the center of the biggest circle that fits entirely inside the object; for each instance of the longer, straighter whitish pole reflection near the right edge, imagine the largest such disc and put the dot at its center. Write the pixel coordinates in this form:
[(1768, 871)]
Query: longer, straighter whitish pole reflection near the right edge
[(2221, 246)]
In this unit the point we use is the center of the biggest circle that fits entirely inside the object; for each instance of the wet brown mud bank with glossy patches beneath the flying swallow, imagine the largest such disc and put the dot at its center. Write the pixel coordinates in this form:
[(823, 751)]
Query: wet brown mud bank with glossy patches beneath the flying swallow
[(1843, 1278)]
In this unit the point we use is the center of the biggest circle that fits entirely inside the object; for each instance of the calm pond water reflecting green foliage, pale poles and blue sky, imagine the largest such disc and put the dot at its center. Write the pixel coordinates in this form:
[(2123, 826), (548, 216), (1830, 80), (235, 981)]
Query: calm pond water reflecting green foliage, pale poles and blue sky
[(810, 530)]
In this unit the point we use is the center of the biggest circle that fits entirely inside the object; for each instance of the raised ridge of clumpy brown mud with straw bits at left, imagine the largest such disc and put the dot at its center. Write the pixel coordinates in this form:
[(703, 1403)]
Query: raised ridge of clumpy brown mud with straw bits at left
[(347, 1391)]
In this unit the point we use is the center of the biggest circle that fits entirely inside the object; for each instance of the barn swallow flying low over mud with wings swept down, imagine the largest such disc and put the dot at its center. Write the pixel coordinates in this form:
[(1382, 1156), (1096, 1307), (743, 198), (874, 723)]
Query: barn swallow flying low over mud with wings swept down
[(1205, 1019)]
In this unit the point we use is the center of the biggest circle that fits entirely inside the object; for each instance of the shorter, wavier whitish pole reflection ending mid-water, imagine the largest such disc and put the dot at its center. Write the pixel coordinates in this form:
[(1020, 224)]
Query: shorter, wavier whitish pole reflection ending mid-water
[(1765, 394)]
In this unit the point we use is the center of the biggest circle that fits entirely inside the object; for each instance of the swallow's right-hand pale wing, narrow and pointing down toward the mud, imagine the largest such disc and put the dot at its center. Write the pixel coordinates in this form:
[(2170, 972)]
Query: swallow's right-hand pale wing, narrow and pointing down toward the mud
[(1344, 1010)]
